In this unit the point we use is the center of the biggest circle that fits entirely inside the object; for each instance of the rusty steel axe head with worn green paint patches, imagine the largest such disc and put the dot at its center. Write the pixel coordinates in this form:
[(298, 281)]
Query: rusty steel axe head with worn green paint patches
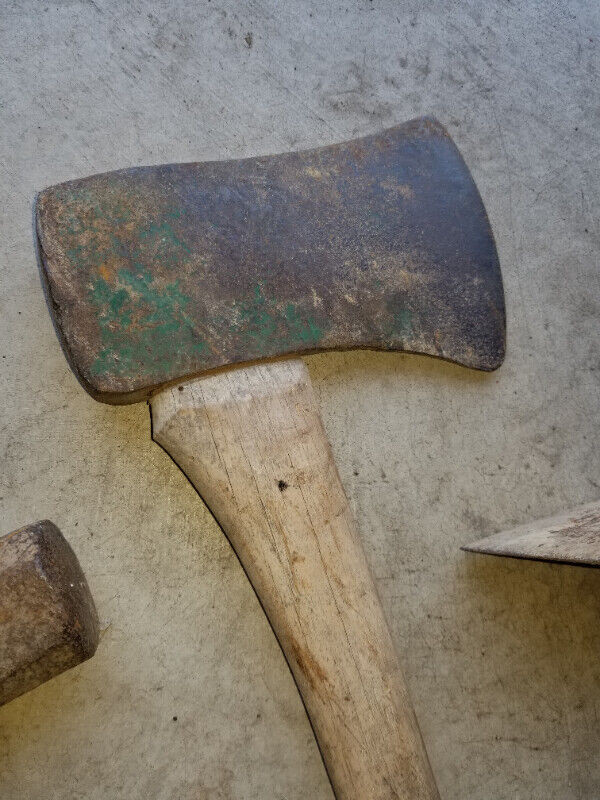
[(155, 274)]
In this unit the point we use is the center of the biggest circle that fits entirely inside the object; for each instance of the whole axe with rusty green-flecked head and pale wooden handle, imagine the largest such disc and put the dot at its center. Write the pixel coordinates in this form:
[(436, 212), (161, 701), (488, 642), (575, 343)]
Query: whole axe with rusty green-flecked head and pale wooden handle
[(188, 284)]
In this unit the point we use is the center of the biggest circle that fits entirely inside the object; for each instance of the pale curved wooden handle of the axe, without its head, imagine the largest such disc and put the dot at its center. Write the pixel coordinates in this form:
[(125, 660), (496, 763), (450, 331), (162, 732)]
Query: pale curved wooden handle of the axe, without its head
[(252, 442)]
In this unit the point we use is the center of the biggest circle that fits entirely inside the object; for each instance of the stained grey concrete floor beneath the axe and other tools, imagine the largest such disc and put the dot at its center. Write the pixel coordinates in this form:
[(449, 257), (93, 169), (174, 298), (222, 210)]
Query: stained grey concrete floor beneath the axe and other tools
[(501, 657)]
